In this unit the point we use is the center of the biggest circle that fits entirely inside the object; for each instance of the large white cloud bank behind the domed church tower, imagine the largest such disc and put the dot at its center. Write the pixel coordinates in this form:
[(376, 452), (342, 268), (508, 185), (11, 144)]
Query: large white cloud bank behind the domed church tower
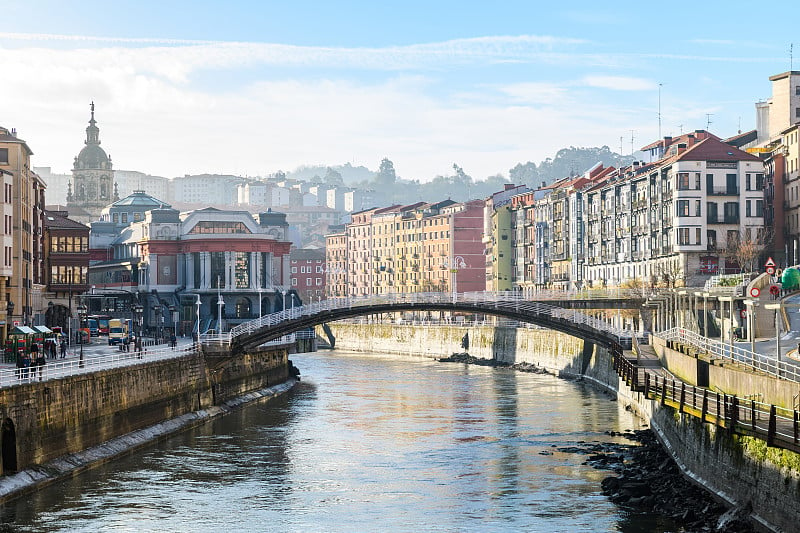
[(155, 117)]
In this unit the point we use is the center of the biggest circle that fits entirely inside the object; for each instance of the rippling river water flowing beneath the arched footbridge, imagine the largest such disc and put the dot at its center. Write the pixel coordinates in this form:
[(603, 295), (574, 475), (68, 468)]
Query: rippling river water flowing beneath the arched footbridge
[(366, 442)]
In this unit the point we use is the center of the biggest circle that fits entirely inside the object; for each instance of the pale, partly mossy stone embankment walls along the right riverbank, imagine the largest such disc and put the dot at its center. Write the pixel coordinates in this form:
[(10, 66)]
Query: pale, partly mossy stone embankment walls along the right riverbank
[(742, 471)]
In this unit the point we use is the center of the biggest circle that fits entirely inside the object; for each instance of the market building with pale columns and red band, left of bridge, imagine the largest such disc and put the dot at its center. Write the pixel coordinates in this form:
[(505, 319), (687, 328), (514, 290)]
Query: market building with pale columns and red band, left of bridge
[(170, 260)]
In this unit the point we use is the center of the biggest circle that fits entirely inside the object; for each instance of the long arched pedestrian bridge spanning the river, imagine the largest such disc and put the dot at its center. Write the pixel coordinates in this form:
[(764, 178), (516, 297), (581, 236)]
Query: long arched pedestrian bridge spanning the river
[(250, 335)]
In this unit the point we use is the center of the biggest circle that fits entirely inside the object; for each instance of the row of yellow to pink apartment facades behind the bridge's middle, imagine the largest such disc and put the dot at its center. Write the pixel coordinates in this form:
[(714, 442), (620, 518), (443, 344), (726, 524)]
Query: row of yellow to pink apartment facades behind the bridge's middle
[(422, 247)]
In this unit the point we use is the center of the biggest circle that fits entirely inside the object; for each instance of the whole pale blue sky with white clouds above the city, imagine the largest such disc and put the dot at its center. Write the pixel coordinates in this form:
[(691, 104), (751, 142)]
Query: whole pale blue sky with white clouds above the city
[(250, 88)]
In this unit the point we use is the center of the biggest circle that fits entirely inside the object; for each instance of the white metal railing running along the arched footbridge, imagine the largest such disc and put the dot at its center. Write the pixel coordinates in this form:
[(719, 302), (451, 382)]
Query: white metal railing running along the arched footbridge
[(506, 300)]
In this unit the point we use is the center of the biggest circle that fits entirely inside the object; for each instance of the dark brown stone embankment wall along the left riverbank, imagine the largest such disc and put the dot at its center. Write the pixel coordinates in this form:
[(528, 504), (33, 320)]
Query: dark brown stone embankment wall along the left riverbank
[(42, 421)]
